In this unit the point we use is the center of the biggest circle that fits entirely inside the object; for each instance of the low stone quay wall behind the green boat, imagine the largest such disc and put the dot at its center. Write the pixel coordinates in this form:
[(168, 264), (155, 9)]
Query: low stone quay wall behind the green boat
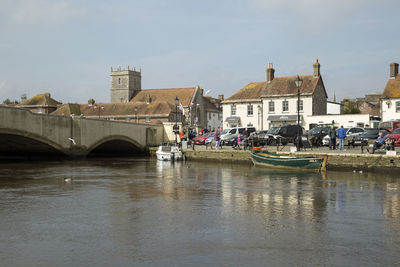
[(350, 159)]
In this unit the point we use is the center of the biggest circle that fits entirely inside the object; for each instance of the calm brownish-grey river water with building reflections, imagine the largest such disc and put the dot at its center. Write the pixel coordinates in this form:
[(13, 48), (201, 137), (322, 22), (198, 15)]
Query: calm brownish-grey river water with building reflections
[(127, 212)]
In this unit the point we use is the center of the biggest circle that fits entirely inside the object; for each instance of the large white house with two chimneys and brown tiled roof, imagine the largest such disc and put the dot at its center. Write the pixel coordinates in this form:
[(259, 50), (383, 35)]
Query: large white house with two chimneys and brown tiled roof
[(274, 102)]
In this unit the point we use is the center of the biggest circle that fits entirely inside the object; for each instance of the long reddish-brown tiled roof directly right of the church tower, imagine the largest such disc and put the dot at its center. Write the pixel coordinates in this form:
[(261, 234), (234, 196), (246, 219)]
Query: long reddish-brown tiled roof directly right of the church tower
[(184, 95)]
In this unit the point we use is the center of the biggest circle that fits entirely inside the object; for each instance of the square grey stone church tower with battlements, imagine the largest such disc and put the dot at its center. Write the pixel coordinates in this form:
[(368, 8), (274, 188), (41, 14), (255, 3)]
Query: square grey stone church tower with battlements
[(124, 84)]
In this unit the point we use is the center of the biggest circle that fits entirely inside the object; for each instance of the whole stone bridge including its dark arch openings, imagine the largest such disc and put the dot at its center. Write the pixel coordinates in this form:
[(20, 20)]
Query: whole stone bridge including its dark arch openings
[(23, 133)]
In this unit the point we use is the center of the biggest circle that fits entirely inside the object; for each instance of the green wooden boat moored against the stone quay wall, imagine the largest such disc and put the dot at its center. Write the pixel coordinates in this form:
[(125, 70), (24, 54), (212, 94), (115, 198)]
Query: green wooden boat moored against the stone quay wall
[(276, 161)]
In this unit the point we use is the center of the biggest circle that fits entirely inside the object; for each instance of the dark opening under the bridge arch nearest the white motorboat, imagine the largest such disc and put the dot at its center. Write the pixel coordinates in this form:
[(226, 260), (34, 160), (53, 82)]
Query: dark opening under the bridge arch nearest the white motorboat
[(115, 144)]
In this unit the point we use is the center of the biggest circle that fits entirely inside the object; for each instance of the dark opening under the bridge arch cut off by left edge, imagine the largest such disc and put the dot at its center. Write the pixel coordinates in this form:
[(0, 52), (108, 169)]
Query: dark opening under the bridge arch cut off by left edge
[(22, 143)]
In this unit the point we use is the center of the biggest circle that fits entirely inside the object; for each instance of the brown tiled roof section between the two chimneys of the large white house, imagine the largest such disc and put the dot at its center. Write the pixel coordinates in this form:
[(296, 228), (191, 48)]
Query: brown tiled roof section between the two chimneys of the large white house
[(286, 85)]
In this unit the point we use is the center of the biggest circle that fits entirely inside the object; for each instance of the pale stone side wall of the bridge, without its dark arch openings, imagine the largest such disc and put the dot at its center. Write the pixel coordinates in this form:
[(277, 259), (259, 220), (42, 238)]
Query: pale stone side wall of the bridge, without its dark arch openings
[(76, 136)]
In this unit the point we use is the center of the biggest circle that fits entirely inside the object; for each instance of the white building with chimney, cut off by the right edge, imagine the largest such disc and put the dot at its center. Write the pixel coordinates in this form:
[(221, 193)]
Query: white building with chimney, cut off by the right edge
[(390, 101)]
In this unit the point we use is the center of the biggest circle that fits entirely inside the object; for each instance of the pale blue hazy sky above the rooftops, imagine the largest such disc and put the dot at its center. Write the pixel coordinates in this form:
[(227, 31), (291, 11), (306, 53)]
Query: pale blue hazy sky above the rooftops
[(67, 47)]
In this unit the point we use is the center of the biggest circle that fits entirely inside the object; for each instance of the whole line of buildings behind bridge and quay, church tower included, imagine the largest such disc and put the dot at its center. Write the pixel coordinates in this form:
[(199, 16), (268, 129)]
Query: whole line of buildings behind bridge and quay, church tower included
[(260, 104)]
